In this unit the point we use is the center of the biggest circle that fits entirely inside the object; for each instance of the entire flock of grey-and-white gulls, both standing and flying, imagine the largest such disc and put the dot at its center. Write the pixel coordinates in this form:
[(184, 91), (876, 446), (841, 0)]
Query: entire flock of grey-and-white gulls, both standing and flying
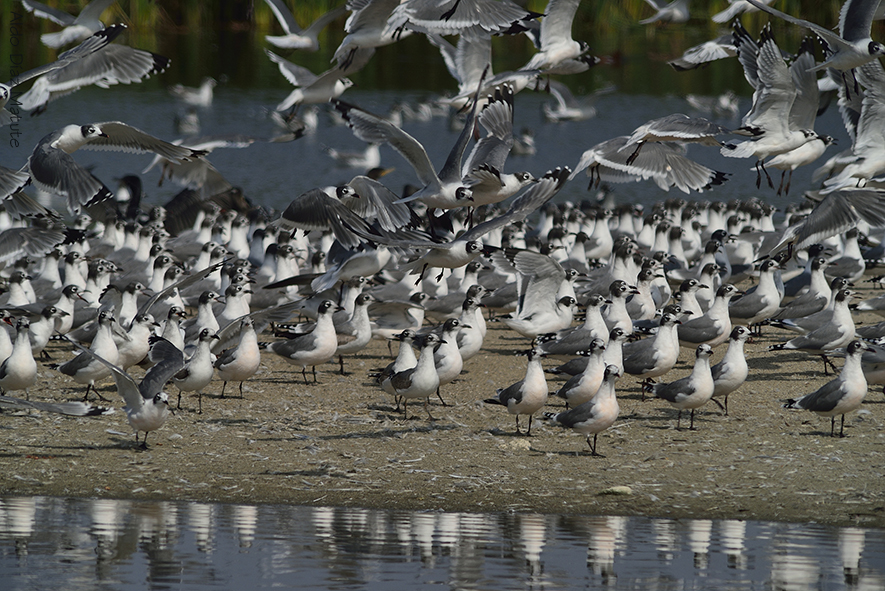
[(188, 290)]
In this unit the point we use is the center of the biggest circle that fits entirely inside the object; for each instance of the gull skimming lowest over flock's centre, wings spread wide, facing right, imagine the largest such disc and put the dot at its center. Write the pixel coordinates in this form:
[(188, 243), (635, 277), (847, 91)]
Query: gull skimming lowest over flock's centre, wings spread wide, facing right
[(467, 246)]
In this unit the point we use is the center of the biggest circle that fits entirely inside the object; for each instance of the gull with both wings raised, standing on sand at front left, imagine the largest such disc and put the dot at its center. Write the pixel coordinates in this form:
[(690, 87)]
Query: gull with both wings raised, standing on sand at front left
[(147, 406)]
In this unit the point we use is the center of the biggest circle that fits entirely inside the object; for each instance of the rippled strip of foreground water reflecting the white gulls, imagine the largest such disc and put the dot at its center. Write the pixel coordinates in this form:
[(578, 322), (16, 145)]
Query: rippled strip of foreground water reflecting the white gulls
[(51, 543)]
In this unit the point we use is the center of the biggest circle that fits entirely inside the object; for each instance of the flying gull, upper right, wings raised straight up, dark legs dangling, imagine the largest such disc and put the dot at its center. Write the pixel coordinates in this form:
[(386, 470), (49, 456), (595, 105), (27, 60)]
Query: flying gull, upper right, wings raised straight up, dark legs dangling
[(769, 117)]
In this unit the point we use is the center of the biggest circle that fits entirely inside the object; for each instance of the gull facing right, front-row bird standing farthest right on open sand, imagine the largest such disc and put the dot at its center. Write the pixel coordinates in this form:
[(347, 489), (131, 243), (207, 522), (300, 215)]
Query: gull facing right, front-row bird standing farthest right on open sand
[(841, 395)]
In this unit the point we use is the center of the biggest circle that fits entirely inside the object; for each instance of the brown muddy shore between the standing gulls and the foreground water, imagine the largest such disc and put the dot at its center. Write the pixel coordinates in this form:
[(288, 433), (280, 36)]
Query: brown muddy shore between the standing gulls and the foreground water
[(340, 442)]
